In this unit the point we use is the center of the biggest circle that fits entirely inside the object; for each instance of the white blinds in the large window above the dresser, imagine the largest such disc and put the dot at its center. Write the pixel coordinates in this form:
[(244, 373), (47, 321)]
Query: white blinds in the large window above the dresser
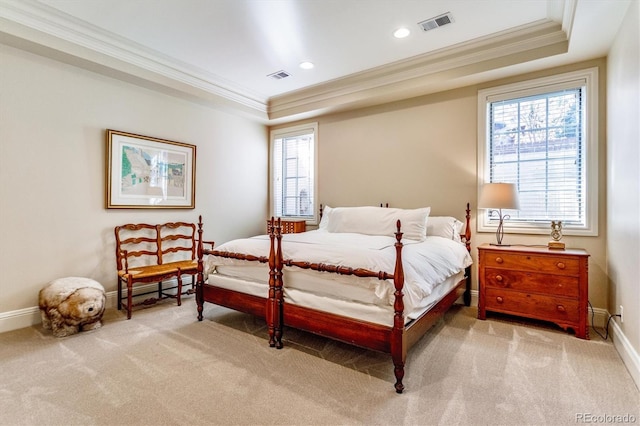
[(537, 143)]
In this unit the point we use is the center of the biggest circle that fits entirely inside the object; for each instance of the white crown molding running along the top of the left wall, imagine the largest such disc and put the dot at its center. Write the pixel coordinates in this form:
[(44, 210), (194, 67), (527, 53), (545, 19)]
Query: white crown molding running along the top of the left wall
[(39, 24)]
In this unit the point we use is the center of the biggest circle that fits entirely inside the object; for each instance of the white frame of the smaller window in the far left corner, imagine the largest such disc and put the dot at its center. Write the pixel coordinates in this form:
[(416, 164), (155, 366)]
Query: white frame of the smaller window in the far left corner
[(288, 132)]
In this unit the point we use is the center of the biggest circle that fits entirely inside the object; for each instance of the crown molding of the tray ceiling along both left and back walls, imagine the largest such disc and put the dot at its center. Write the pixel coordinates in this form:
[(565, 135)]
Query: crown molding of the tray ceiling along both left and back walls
[(44, 30)]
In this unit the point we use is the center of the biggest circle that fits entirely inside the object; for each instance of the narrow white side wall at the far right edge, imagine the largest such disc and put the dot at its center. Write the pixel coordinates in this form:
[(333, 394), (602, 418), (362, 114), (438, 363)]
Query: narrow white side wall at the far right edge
[(623, 178)]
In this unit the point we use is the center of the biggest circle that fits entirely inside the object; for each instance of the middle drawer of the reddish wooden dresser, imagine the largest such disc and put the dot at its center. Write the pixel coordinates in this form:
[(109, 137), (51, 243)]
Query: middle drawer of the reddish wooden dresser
[(560, 285)]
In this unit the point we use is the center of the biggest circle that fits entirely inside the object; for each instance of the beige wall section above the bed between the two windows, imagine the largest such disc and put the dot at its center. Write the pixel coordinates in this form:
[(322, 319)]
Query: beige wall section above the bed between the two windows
[(414, 153)]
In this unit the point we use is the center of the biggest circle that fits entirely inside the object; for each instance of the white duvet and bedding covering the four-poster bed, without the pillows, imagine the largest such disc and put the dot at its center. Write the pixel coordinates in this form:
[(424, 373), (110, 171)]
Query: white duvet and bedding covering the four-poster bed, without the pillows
[(426, 265)]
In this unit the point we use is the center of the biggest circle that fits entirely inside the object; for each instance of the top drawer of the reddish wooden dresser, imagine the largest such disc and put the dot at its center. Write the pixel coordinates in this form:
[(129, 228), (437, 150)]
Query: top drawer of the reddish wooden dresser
[(562, 265)]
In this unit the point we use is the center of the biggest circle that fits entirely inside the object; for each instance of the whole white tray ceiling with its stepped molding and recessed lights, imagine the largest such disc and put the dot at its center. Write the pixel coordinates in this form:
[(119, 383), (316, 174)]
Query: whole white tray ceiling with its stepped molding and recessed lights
[(221, 52)]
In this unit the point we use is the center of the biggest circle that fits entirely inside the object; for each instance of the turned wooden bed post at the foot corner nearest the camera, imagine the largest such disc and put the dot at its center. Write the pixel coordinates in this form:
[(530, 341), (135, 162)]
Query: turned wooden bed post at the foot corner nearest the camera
[(398, 344)]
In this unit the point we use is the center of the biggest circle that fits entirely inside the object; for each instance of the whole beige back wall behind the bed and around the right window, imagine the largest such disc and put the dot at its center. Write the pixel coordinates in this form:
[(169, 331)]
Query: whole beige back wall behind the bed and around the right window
[(423, 151)]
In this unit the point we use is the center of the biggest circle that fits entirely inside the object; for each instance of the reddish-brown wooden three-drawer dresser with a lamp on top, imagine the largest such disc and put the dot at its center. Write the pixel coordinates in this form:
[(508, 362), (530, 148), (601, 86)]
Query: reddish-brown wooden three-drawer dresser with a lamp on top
[(540, 283)]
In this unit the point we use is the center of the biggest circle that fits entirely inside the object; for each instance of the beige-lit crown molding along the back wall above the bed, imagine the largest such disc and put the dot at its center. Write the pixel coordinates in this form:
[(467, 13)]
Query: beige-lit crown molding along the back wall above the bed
[(424, 73)]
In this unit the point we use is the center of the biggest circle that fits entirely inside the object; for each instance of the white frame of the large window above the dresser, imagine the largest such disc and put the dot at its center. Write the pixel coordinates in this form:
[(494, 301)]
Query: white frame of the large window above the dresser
[(587, 78)]
